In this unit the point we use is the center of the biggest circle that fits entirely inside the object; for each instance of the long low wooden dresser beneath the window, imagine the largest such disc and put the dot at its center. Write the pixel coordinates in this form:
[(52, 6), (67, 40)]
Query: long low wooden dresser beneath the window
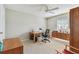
[(60, 35)]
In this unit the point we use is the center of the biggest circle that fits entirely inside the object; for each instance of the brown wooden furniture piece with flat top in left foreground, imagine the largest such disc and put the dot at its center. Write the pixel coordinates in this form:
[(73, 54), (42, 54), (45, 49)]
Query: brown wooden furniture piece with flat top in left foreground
[(12, 46)]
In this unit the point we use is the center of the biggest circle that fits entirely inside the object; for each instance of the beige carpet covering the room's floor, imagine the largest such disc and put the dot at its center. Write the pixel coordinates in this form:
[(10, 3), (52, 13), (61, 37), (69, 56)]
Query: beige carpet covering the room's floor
[(44, 48)]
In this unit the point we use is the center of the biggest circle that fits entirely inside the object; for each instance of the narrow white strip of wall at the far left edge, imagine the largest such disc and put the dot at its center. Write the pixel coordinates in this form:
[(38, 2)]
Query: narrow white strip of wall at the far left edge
[(2, 22)]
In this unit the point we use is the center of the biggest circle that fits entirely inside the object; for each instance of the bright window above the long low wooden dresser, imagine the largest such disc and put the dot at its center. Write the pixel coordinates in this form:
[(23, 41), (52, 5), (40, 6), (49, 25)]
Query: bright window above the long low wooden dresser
[(63, 23)]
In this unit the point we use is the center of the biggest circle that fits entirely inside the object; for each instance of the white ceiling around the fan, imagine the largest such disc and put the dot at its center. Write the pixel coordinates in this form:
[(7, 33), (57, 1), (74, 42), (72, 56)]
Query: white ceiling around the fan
[(38, 9)]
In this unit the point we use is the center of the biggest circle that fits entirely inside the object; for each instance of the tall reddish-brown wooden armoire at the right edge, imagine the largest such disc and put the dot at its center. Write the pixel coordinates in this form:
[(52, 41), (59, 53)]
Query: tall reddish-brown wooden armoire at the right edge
[(74, 28)]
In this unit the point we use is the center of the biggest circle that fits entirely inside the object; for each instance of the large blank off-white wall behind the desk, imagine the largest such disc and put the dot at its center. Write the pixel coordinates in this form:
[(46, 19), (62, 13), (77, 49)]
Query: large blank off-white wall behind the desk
[(20, 24)]
